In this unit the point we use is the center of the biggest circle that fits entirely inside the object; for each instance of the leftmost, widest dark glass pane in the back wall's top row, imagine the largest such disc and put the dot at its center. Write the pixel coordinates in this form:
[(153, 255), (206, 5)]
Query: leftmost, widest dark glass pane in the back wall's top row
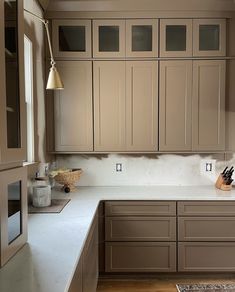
[(72, 38)]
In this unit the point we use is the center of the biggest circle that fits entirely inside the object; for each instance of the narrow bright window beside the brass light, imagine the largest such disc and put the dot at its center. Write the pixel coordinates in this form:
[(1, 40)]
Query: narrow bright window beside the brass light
[(28, 62)]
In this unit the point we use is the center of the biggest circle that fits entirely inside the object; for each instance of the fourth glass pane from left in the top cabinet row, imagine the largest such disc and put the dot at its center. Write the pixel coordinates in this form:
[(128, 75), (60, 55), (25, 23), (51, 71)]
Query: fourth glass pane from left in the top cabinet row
[(176, 37)]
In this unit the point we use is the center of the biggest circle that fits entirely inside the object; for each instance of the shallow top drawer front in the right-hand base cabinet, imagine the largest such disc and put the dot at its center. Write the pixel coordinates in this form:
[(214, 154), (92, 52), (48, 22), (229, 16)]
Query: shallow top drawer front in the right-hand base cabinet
[(206, 208)]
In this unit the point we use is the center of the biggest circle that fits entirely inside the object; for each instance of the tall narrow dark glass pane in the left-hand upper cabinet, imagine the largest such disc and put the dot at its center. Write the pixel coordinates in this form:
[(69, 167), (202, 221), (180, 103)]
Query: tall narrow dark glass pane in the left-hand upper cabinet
[(12, 75)]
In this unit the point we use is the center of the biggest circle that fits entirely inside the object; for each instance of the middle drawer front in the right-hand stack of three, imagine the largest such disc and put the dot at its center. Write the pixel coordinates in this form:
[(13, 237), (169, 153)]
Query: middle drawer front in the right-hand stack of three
[(206, 228)]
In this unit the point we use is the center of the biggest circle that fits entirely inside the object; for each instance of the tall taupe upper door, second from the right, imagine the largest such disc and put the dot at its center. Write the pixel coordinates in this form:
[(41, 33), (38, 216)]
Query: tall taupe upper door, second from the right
[(175, 105)]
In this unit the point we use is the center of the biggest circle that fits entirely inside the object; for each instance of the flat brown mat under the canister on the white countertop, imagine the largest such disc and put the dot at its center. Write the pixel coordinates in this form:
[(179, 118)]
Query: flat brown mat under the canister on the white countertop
[(57, 205)]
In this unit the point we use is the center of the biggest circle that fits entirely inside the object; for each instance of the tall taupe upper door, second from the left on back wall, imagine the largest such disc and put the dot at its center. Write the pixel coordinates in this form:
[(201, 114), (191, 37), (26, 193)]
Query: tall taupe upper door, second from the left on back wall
[(110, 105)]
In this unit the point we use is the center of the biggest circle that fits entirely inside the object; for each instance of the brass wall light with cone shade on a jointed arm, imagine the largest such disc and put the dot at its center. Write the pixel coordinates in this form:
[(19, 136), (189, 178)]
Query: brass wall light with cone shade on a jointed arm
[(54, 81)]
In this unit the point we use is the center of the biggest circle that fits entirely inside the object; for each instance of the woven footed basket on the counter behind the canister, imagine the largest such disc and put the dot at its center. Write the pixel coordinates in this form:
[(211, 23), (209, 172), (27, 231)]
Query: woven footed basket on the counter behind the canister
[(68, 179)]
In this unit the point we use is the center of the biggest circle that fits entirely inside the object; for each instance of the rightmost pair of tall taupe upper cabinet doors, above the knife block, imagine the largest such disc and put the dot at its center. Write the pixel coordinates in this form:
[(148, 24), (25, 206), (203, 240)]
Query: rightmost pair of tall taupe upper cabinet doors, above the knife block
[(192, 105)]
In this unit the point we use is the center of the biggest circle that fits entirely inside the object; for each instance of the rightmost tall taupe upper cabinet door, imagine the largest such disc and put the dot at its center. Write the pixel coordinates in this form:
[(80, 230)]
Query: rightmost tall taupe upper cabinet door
[(209, 105)]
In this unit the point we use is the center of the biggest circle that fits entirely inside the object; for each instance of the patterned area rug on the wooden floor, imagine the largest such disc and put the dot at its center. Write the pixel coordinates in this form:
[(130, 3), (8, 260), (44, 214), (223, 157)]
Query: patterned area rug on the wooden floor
[(205, 287)]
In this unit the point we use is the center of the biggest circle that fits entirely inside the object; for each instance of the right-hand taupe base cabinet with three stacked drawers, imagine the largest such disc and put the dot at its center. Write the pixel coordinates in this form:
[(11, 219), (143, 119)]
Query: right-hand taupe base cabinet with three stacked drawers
[(206, 237)]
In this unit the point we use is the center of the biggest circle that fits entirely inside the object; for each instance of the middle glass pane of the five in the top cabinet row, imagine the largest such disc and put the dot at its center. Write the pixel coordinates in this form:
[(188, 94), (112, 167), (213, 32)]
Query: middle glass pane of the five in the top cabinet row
[(141, 38)]
